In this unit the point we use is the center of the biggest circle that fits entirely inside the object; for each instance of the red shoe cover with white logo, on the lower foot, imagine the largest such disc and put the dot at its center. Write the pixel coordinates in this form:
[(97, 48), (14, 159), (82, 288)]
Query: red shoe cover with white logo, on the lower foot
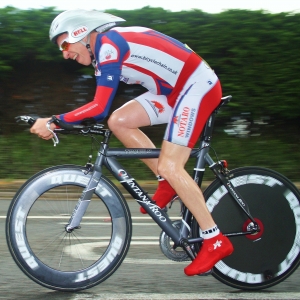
[(212, 250)]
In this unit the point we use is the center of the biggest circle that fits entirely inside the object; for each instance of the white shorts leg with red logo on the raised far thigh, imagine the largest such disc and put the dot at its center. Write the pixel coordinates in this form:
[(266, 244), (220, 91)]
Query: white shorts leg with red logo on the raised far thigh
[(156, 106)]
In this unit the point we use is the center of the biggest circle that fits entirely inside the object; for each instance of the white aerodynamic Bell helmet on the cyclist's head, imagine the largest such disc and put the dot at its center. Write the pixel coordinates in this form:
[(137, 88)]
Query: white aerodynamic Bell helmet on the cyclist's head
[(78, 23)]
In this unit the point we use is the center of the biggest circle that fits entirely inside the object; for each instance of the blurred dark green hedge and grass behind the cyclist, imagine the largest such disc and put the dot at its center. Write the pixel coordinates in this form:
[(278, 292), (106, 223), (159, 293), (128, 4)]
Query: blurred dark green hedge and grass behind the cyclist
[(254, 53)]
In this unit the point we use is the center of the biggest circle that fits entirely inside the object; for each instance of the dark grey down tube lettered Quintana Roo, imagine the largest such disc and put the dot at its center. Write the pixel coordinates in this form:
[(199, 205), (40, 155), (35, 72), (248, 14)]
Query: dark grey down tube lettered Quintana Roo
[(157, 214)]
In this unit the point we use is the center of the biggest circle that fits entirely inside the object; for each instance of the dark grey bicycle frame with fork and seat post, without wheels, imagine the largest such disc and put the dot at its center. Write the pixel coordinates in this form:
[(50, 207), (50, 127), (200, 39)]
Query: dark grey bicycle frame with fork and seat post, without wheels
[(108, 158)]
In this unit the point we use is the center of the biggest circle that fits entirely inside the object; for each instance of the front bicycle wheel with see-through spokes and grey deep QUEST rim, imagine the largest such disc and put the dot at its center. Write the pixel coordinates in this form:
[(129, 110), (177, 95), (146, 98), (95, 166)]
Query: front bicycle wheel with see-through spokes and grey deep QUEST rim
[(39, 243)]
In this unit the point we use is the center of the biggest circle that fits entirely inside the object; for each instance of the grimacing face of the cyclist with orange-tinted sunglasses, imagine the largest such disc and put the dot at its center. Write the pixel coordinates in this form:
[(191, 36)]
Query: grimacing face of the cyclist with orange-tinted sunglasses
[(75, 51)]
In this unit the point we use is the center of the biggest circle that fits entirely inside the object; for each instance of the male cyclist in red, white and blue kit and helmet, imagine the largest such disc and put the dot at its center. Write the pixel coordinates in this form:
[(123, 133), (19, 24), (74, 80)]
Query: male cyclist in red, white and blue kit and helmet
[(182, 92)]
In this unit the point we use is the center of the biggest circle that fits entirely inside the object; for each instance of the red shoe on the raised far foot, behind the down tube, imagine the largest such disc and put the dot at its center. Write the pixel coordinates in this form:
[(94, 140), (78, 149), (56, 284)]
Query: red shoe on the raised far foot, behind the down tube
[(163, 195)]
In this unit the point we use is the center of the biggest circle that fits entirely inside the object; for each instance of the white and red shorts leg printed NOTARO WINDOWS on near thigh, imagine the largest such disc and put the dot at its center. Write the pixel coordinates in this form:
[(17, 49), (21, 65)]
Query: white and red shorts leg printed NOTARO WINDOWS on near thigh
[(200, 96)]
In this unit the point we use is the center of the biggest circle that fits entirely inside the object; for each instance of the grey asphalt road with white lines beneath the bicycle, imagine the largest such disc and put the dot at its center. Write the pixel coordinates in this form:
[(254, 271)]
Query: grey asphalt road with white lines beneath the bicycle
[(145, 274)]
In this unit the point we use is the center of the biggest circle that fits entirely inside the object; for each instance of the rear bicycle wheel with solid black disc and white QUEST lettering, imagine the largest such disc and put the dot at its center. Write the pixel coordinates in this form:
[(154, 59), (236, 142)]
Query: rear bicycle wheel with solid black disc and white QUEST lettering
[(268, 257)]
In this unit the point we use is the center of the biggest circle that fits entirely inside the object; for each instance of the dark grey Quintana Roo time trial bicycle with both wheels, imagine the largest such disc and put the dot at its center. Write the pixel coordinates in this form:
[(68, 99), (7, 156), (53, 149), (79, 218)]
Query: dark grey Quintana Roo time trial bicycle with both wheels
[(49, 230)]
